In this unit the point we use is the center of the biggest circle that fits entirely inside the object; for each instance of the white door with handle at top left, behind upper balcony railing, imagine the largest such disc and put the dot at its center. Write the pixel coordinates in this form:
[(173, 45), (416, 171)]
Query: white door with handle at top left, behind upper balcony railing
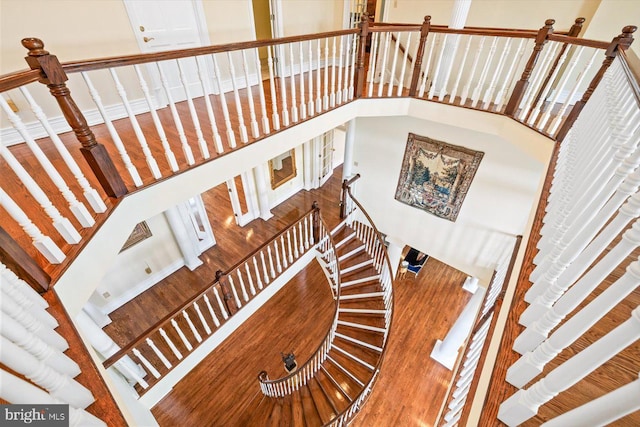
[(166, 25)]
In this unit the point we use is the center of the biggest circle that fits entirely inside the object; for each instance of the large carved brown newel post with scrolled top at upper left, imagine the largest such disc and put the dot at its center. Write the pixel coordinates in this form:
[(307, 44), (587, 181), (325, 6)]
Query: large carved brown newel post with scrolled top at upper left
[(94, 153)]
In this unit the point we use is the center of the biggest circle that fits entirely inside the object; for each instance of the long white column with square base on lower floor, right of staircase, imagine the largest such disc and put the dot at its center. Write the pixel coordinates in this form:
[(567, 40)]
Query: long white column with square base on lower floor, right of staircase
[(446, 351)]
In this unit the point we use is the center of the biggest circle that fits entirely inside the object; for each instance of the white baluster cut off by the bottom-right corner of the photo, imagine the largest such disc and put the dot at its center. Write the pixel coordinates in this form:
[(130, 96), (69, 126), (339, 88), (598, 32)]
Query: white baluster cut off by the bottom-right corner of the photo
[(603, 410)]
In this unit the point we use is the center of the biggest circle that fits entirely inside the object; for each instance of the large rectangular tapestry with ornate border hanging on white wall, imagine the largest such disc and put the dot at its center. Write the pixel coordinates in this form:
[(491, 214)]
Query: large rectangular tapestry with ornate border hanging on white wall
[(436, 176)]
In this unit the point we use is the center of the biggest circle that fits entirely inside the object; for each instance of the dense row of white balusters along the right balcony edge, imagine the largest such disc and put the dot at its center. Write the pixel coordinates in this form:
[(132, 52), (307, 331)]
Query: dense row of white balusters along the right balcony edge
[(597, 170)]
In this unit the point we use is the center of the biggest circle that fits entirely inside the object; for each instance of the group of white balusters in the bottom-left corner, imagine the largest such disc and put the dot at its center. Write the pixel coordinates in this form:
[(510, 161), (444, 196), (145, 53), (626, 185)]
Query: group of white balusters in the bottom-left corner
[(32, 349)]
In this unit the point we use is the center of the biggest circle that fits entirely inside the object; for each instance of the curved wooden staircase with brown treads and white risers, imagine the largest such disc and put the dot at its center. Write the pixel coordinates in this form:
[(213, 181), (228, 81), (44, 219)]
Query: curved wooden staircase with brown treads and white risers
[(355, 351)]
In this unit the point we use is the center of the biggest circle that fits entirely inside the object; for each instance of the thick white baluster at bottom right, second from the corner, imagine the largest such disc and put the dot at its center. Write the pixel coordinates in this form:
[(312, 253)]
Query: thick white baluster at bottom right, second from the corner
[(525, 403)]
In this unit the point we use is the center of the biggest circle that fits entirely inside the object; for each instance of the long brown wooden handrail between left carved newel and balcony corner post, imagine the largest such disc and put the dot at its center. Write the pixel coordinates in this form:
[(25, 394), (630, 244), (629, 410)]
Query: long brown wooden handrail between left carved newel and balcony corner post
[(142, 58)]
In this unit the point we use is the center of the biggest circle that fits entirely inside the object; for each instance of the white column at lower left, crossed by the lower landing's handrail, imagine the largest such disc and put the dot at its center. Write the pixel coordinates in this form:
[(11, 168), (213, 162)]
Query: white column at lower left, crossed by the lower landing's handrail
[(106, 347)]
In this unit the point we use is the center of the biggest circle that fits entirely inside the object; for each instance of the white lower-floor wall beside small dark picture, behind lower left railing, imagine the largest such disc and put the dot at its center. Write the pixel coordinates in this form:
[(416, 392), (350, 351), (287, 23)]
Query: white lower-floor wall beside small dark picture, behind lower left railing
[(126, 277)]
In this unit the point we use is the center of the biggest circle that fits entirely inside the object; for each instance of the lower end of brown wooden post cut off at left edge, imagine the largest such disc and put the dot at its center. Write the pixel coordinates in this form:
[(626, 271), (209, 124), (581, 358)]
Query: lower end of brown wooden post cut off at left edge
[(25, 267)]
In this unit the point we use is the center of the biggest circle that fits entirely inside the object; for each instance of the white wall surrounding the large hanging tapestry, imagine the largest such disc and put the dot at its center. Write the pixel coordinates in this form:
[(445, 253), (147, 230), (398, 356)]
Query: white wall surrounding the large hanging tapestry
[(495, 210)]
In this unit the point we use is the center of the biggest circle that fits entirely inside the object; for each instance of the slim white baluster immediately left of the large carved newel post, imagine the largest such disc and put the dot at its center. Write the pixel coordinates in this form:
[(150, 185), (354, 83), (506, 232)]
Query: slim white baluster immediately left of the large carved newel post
[(90, 193)]
